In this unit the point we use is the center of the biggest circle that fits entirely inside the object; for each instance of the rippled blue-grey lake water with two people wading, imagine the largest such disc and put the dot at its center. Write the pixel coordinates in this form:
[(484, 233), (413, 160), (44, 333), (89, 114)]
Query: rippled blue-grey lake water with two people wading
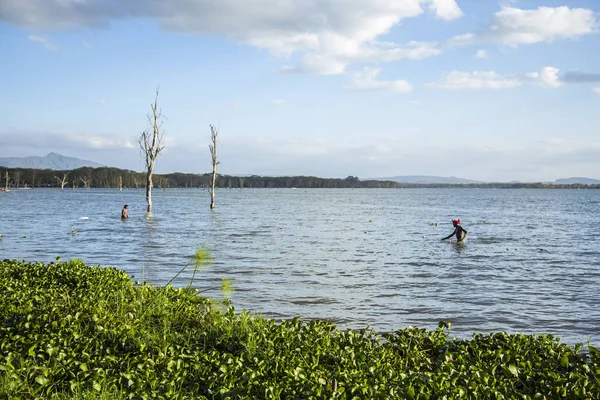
[(531, 263)]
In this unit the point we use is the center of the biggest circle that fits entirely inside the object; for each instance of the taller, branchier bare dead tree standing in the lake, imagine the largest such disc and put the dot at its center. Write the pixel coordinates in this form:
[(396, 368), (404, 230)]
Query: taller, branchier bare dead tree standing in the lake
[(150, 140)]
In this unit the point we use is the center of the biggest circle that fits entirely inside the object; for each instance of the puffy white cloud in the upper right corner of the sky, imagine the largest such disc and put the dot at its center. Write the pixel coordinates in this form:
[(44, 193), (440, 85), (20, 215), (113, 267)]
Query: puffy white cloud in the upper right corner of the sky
[(514, 26)]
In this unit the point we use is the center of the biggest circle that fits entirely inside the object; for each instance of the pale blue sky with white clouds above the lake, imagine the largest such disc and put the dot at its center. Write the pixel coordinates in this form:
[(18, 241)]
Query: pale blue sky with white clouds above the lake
[(479, 89)]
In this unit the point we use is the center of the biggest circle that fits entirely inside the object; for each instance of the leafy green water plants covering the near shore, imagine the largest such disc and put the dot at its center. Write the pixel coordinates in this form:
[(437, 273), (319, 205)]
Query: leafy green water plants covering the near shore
[(72, 331)]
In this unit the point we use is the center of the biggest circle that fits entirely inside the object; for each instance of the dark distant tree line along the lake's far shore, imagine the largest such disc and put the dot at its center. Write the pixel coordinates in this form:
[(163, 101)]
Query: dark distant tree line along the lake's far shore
[(107, 177)]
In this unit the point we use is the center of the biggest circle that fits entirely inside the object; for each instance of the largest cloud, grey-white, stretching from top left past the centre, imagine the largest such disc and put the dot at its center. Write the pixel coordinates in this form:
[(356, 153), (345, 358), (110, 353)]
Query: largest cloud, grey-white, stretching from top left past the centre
[(327, 35)]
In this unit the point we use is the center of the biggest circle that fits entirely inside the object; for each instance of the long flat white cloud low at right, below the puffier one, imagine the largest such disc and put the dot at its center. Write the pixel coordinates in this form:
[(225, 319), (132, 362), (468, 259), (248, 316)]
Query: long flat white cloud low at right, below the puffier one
[(477, 80)]
